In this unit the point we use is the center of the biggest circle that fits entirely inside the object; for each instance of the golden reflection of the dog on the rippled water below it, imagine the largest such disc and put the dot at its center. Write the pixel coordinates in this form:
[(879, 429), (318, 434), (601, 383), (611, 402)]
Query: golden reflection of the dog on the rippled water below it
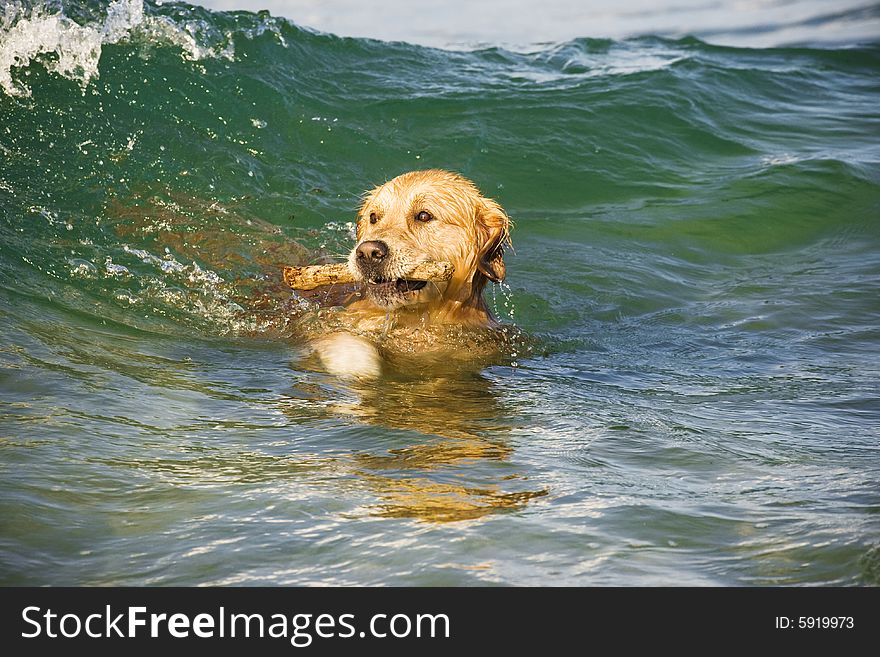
[(455, 476)]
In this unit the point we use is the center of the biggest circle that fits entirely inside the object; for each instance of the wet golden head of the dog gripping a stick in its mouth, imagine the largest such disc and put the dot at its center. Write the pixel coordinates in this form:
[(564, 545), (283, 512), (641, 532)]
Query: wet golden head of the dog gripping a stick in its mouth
[(428, 215)]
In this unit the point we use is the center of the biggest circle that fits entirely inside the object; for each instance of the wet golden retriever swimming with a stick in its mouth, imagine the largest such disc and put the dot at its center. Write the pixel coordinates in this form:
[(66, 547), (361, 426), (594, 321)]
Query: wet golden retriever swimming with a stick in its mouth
[(416, 217)]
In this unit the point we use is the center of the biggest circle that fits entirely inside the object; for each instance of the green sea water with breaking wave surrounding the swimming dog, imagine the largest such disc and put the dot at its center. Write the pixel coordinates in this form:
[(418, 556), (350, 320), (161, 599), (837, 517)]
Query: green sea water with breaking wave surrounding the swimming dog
[(697, 259)]
